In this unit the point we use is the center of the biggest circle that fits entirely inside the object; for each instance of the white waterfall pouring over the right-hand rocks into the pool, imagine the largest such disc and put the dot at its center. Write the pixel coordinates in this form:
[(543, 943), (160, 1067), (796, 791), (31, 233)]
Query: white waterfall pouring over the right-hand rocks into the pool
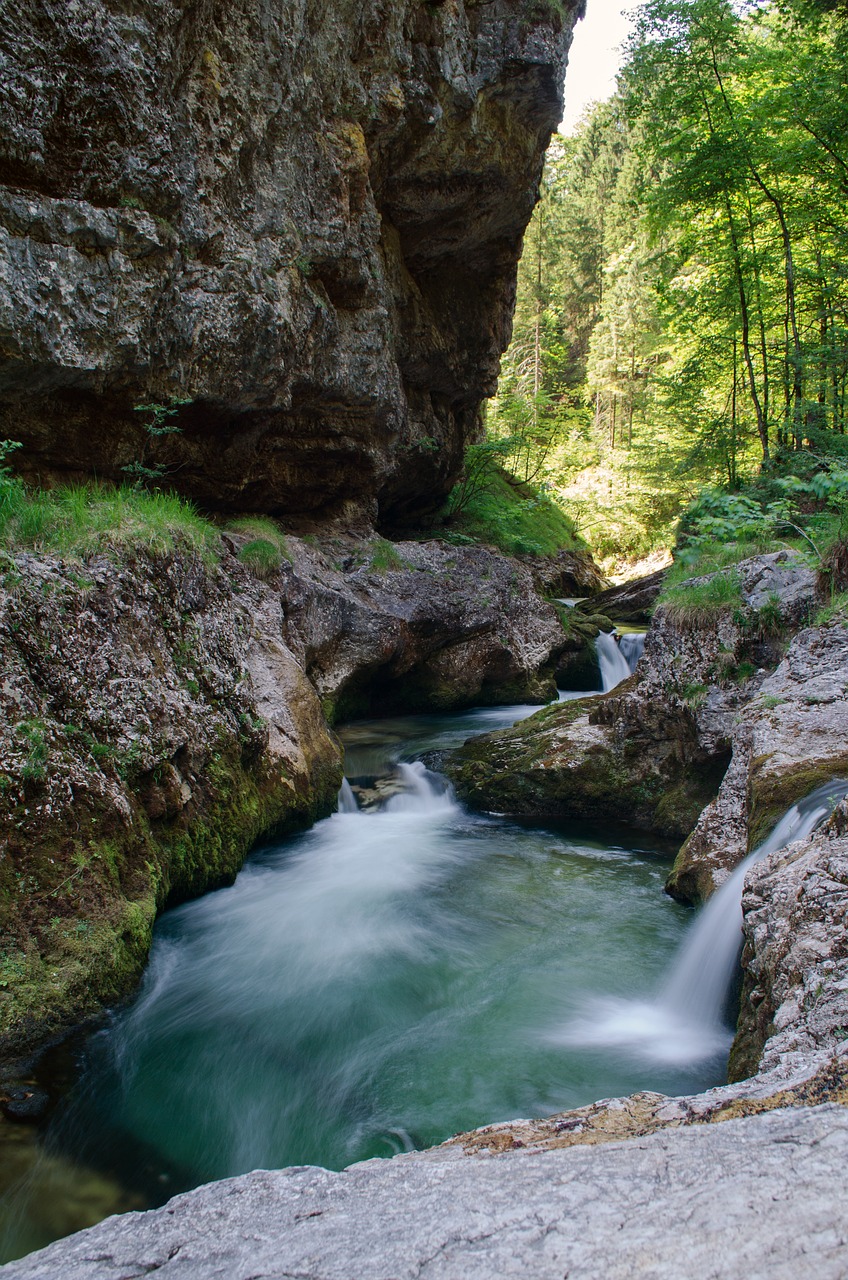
[(686, 1022)]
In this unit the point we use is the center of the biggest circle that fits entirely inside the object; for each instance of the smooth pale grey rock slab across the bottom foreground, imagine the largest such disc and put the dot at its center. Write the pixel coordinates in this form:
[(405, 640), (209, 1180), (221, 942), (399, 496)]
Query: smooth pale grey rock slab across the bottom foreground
[(759, 1197)]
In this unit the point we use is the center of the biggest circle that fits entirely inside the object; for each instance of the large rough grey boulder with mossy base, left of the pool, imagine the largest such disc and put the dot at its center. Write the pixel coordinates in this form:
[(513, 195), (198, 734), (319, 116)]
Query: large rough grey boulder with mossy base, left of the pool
[(153, 726)]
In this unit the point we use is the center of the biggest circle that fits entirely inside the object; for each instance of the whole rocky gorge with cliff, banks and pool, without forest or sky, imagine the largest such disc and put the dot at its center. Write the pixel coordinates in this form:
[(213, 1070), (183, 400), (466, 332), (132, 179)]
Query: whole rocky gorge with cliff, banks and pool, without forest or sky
[(265, 255)]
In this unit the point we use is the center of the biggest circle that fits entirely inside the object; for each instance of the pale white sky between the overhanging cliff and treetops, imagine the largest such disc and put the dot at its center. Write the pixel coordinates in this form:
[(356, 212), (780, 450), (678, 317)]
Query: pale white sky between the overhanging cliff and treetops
[(595, 57)]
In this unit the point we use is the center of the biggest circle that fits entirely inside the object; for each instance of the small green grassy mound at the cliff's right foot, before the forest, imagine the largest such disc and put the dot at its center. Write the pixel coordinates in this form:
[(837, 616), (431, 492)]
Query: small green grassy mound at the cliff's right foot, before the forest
[(517, 520)]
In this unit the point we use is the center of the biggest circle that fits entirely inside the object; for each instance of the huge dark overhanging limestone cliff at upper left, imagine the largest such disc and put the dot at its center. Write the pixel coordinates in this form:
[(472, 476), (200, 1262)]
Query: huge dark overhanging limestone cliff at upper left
[(300, 218)]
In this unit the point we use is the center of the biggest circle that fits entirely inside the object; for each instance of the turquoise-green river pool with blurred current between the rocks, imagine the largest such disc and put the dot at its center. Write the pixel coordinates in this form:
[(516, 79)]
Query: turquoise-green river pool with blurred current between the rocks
[(375, 985)]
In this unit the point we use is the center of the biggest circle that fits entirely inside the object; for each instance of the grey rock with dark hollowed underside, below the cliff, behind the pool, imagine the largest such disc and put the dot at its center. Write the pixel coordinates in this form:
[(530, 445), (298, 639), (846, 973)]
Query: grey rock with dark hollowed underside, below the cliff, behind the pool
[(426, 627)]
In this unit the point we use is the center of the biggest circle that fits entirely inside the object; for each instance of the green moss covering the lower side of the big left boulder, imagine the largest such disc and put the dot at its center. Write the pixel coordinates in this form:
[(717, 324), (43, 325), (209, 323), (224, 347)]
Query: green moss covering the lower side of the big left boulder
[(76, 913)]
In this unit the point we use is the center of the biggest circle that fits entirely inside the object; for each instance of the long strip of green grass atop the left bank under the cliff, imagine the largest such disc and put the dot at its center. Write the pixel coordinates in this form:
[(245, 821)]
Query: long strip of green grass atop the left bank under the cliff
[(77, 520)]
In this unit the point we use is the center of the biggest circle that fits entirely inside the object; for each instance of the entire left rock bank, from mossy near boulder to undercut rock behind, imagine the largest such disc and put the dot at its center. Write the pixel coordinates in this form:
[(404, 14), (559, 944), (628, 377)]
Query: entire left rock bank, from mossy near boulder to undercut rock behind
[(161, 712)]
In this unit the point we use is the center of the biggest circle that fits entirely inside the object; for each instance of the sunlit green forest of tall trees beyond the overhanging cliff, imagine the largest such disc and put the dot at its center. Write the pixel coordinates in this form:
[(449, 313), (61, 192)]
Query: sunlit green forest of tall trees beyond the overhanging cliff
[(682, 322)]
